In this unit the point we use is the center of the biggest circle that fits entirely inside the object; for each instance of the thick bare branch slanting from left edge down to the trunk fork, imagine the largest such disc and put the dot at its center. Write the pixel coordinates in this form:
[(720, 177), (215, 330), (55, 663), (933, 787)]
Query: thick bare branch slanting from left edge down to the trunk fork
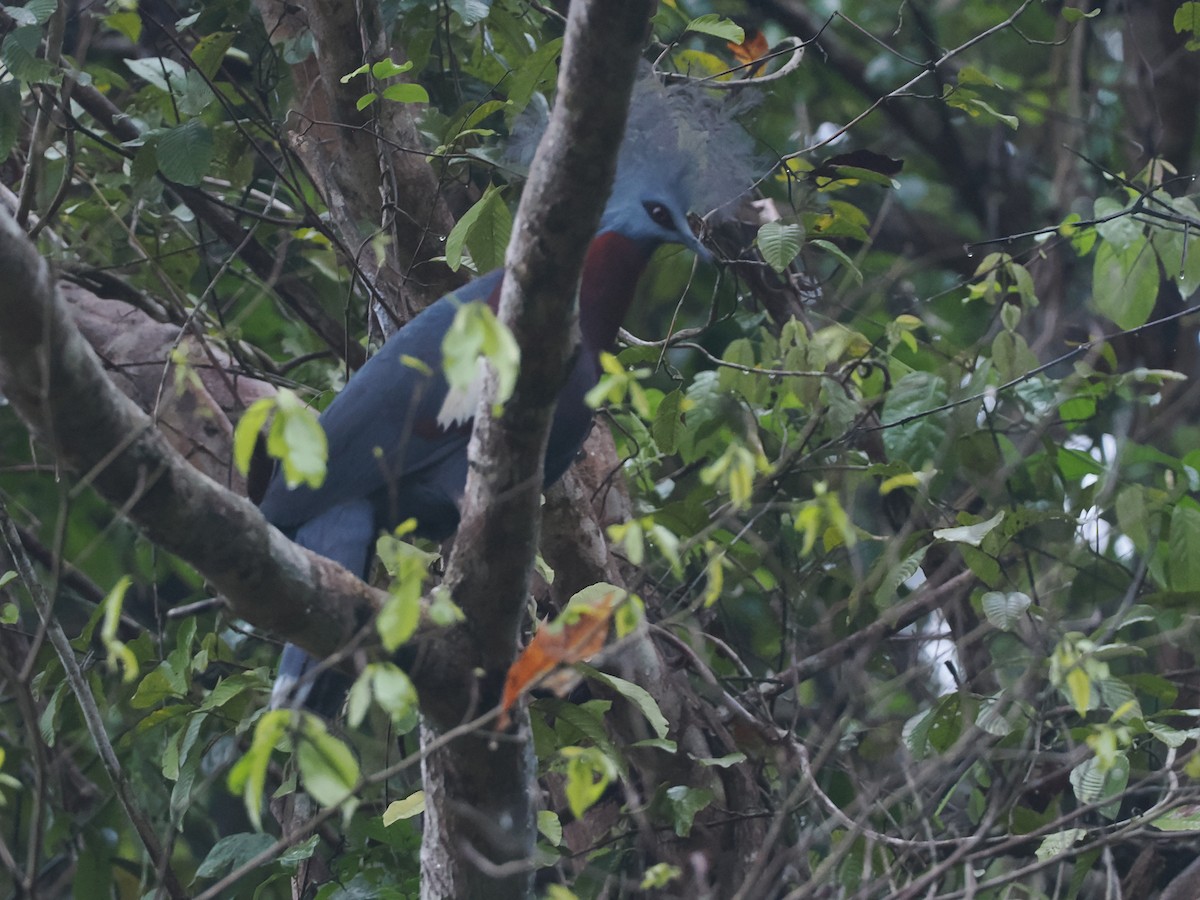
[(57, 386)]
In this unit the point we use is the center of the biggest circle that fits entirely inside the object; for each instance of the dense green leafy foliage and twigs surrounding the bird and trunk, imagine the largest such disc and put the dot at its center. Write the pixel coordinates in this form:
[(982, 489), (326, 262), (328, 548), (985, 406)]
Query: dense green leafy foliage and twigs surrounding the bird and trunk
[(907, 485)]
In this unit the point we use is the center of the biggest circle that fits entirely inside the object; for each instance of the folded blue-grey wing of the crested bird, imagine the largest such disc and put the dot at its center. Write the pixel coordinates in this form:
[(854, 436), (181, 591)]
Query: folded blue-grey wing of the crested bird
[(385, 425)]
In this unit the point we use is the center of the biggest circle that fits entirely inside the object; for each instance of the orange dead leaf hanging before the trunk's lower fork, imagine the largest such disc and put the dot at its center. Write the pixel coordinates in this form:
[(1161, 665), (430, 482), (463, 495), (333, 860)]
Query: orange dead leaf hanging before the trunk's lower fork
[(579, 633)]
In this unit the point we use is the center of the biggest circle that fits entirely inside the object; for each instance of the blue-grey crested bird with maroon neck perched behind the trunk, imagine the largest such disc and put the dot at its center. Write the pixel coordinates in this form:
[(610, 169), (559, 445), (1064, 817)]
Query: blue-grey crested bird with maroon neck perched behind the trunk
[(398, 436)]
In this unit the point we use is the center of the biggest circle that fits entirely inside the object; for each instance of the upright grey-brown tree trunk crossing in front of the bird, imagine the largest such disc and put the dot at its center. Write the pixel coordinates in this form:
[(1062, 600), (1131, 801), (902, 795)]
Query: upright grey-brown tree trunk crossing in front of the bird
[(479, 839)]
